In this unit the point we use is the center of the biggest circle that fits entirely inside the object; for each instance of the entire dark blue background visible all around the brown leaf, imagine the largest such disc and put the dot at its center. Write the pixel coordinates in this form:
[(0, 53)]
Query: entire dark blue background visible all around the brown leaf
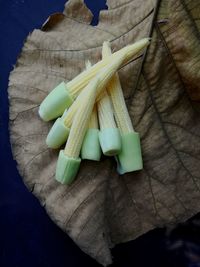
[(27, 236)]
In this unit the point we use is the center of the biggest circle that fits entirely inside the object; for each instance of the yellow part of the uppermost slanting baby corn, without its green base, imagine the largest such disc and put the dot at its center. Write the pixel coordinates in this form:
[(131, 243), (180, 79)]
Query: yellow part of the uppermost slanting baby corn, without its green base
[(79, 82)]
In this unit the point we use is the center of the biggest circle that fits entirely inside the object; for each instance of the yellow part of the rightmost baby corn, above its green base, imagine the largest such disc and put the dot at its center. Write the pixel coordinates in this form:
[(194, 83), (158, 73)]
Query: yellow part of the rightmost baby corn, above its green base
[(120, 110)]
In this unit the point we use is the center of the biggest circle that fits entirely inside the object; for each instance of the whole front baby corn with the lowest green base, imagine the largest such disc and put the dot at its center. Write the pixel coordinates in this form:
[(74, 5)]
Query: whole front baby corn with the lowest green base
[(69, 160)]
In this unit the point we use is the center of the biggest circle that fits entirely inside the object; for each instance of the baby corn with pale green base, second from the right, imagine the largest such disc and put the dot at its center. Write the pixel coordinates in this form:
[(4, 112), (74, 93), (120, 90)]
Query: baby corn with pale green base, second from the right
[(109, 136)]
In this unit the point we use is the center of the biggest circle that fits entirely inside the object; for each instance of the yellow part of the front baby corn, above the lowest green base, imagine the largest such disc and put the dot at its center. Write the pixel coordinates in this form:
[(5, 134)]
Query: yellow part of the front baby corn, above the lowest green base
[(80, 122)]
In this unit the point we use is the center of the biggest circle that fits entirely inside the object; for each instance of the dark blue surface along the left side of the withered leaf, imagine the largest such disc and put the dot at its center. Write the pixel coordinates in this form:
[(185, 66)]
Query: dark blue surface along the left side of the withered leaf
[(27, 236)]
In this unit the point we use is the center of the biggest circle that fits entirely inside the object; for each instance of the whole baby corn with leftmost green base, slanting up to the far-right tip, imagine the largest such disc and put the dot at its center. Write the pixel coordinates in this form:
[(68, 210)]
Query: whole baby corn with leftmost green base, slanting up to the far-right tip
[(63, 95)]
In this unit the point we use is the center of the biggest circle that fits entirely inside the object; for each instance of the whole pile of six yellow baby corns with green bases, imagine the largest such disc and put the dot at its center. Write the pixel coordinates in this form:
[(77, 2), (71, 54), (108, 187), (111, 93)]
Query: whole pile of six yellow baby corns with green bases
[(92, 117)]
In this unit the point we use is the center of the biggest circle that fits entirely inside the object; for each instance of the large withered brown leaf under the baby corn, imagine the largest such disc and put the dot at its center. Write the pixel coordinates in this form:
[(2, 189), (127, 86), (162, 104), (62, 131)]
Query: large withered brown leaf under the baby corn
[(101, 208)]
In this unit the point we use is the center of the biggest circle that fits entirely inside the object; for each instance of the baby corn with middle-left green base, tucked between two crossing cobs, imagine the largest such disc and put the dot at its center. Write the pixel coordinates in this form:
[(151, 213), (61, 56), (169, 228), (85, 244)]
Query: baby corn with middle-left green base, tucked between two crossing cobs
[(104, 76)]
